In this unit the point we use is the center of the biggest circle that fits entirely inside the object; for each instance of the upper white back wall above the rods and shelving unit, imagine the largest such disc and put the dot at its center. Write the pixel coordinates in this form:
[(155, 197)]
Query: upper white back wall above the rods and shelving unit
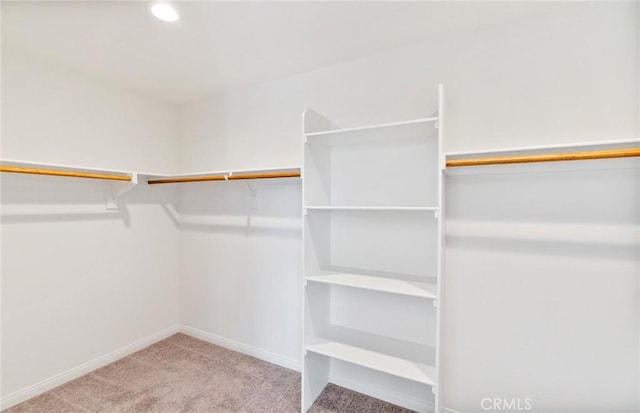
[(570, 76)]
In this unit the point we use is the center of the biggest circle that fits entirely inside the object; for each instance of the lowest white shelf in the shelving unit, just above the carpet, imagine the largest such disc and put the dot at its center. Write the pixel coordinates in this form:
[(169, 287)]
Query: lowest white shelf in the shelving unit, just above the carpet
[(381, 362)]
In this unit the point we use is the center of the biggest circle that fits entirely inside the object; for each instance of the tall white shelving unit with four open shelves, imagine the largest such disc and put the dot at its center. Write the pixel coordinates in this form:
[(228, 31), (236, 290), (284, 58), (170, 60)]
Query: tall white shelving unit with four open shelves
[(373, 258)]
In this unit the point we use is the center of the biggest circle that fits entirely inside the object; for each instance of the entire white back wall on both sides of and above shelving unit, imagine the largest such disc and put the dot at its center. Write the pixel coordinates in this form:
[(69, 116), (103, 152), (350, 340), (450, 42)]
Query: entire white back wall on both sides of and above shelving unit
[(571, 76)]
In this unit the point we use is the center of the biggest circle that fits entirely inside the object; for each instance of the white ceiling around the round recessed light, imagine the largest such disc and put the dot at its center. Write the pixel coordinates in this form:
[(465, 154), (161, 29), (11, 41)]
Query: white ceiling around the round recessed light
[(218, 46)]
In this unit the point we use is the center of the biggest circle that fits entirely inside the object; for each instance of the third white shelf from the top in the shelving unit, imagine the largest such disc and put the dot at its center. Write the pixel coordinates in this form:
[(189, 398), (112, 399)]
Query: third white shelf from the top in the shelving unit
[(388, 285)]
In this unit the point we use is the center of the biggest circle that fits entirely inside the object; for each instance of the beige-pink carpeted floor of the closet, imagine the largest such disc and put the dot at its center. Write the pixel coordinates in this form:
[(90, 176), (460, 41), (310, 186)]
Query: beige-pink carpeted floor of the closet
[(182, 374)]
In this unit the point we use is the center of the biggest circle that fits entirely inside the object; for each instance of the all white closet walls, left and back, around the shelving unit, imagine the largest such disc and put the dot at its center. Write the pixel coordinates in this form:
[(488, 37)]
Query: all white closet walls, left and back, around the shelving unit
[(567, 77)]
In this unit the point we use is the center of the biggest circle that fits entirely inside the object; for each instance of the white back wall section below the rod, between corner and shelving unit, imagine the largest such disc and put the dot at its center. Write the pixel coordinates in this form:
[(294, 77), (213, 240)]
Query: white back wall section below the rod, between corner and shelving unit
[(240, 266)]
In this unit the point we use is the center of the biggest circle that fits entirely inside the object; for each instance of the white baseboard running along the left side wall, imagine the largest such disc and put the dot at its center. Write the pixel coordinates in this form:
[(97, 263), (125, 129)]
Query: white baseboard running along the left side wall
[(59, 379)]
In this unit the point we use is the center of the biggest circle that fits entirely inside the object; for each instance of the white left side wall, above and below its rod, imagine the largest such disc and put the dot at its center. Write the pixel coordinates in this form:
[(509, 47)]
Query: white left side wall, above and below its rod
[(80, 282)]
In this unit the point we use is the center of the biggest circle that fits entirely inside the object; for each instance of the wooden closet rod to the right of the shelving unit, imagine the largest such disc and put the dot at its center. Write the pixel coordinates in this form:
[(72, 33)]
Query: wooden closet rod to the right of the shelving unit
[(552, 157)]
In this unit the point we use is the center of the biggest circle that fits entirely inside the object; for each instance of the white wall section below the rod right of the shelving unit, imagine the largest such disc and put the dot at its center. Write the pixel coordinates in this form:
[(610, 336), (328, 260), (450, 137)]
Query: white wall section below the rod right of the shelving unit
[(543, 268)]
